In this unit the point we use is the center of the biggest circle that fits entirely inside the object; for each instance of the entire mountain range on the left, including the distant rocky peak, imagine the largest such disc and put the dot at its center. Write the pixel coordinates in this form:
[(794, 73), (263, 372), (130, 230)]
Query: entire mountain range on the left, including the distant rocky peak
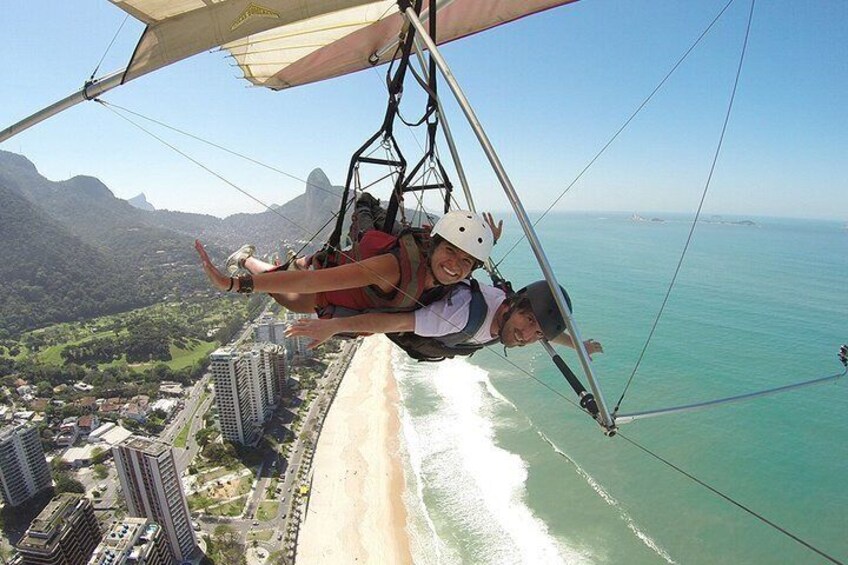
[(134, 256)]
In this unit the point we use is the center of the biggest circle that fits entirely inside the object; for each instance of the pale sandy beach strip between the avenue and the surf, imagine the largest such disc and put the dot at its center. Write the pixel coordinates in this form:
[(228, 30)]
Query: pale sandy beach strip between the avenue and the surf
[(356, 511)]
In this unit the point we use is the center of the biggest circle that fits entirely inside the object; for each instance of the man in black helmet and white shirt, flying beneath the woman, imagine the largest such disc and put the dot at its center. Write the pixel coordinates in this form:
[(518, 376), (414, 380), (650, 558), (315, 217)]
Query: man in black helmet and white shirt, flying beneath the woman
[(470, 318)]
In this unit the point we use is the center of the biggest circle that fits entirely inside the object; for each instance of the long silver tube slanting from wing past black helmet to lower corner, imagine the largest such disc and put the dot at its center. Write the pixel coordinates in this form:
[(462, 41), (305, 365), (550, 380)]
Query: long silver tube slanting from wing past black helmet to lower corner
[(520, 212)]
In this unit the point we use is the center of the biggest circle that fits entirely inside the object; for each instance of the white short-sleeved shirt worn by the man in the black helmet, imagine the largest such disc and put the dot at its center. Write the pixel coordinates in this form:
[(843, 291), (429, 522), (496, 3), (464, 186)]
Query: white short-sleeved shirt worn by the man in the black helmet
[(449, 315)]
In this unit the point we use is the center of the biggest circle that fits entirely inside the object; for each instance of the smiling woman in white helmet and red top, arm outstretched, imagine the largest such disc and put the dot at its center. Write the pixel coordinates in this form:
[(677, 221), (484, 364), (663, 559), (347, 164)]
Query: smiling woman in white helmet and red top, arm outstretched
[(382, 272)]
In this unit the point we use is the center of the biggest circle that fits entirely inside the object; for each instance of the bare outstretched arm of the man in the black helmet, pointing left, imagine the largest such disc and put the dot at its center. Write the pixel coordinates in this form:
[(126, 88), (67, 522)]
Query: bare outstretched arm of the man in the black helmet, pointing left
[(378, 322)]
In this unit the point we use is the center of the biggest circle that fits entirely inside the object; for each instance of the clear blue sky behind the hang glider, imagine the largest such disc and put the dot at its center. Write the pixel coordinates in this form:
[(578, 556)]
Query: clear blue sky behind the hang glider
[(550, 89)]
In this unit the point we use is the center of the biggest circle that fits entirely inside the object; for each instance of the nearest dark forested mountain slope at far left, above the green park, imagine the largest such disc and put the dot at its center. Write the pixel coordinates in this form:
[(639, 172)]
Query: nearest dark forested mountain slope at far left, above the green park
[(79, 252)]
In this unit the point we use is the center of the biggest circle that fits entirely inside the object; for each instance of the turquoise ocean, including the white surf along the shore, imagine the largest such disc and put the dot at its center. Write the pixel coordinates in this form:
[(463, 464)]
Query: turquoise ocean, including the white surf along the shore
[(501, 466)]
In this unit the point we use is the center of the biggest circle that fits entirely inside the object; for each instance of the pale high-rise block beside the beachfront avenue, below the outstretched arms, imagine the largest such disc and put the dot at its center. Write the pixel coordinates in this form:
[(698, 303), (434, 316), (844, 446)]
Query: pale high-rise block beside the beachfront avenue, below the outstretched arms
[(247, 386)]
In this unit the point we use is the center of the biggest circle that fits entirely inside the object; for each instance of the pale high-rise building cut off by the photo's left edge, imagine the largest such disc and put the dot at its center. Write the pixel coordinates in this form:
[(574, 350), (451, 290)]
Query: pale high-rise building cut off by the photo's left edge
[(23, 468)]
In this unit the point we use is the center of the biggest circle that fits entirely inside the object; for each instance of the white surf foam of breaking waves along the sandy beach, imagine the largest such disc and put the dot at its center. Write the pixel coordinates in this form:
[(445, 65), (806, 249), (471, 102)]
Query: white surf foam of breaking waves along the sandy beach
[(474, 489)]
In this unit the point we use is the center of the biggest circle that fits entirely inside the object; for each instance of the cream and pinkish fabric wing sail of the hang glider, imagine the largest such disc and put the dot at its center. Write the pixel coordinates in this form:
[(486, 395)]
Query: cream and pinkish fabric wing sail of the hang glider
[(284, 43)]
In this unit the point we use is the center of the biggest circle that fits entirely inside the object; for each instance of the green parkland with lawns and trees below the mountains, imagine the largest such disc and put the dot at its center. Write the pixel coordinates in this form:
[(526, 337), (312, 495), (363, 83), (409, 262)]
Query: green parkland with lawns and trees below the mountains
[(122, 355)]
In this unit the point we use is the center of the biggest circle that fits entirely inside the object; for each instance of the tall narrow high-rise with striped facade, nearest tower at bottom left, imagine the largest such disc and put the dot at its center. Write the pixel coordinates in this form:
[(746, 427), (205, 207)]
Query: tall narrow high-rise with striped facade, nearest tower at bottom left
[(152, 489)]
